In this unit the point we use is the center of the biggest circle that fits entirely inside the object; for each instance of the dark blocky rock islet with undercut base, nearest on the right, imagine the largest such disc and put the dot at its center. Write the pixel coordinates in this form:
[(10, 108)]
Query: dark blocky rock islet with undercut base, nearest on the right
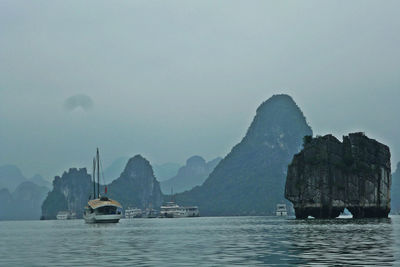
[(328, 176)]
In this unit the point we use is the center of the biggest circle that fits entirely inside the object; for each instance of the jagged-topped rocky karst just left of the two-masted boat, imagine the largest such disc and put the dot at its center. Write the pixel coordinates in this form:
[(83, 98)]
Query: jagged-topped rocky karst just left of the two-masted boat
[(70, 192)]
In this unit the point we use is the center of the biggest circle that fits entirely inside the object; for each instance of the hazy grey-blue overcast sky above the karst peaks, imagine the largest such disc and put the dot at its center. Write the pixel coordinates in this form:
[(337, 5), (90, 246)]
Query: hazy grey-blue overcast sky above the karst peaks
[(170, 79)]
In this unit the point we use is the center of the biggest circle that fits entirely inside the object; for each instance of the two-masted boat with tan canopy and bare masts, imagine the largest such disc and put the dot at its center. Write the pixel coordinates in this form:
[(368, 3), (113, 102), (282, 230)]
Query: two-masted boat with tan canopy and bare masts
[(101, 209)]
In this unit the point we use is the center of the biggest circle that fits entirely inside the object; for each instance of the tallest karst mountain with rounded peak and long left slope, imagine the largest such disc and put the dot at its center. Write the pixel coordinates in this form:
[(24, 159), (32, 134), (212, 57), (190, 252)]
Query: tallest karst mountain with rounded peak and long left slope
[(250, 180)]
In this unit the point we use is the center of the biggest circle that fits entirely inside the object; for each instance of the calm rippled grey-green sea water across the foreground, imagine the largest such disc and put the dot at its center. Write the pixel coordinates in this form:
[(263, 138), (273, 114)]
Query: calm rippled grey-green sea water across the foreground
[(201, 241)]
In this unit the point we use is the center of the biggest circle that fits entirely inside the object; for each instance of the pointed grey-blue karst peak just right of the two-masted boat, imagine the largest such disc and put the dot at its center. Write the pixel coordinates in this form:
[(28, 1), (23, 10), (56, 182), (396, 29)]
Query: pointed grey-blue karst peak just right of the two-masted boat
[(137, 186)]
